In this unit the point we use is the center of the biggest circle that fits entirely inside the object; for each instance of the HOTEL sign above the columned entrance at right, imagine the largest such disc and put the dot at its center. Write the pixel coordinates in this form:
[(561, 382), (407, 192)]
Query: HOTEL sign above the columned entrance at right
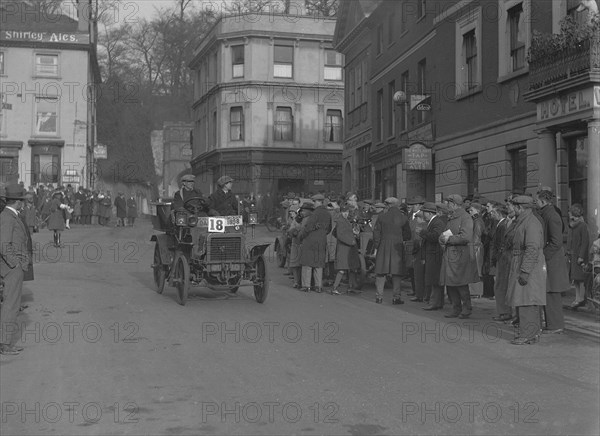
[(568, 104)]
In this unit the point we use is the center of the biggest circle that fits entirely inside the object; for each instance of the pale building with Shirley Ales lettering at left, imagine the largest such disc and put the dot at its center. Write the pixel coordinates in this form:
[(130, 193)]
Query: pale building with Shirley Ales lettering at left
[(48, 72)]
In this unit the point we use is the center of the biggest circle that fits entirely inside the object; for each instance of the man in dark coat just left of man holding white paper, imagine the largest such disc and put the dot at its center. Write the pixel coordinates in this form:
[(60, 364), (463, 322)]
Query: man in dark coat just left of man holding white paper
[(431, 254)]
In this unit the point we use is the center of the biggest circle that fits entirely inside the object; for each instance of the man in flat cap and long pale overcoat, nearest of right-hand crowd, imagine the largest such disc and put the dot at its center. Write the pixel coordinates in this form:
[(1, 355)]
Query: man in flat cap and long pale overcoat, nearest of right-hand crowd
[(527, 277)]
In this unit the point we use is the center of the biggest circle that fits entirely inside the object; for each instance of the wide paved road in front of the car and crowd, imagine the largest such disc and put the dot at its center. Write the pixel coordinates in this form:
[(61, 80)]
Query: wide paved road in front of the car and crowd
[(105, 354)]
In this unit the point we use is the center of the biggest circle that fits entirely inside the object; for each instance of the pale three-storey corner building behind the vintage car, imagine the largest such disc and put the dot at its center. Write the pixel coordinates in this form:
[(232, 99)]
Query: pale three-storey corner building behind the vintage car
[(268, 111)]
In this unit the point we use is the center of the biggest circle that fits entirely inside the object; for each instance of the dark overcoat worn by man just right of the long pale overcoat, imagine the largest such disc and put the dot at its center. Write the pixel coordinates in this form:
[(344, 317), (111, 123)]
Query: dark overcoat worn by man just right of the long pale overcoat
[(558, 272)]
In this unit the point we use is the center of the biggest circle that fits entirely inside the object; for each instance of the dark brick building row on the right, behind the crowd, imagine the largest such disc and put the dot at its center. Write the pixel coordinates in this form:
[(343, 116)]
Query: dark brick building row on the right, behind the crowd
[(466, 101)]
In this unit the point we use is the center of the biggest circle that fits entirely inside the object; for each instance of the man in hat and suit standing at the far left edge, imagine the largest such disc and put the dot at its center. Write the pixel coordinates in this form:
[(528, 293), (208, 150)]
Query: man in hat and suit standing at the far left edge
[(14, 261)]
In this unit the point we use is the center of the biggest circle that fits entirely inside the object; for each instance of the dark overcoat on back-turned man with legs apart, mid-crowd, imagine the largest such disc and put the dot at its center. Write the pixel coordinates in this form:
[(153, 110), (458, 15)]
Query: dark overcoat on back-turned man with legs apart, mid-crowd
[(390, 232)]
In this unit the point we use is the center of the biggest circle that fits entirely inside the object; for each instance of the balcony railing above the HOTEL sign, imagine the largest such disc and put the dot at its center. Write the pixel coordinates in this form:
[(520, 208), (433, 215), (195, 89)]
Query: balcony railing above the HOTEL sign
[(565, 64)]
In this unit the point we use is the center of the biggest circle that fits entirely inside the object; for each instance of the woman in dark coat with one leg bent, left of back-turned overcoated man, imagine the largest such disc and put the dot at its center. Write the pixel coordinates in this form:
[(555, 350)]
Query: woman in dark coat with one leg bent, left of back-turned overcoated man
[(346, 252)]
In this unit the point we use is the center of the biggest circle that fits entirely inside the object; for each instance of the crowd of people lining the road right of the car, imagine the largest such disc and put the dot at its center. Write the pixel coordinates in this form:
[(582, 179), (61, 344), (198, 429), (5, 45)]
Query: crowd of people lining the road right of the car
[(511, 252)]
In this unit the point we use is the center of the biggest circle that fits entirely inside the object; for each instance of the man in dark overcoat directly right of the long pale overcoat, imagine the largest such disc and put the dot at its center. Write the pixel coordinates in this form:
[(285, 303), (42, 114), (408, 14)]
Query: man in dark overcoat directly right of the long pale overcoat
[(558, 272)]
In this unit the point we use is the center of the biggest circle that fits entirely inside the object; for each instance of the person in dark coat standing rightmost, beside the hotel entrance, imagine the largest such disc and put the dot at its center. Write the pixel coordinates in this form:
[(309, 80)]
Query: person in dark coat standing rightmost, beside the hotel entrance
[(578, 248)]
